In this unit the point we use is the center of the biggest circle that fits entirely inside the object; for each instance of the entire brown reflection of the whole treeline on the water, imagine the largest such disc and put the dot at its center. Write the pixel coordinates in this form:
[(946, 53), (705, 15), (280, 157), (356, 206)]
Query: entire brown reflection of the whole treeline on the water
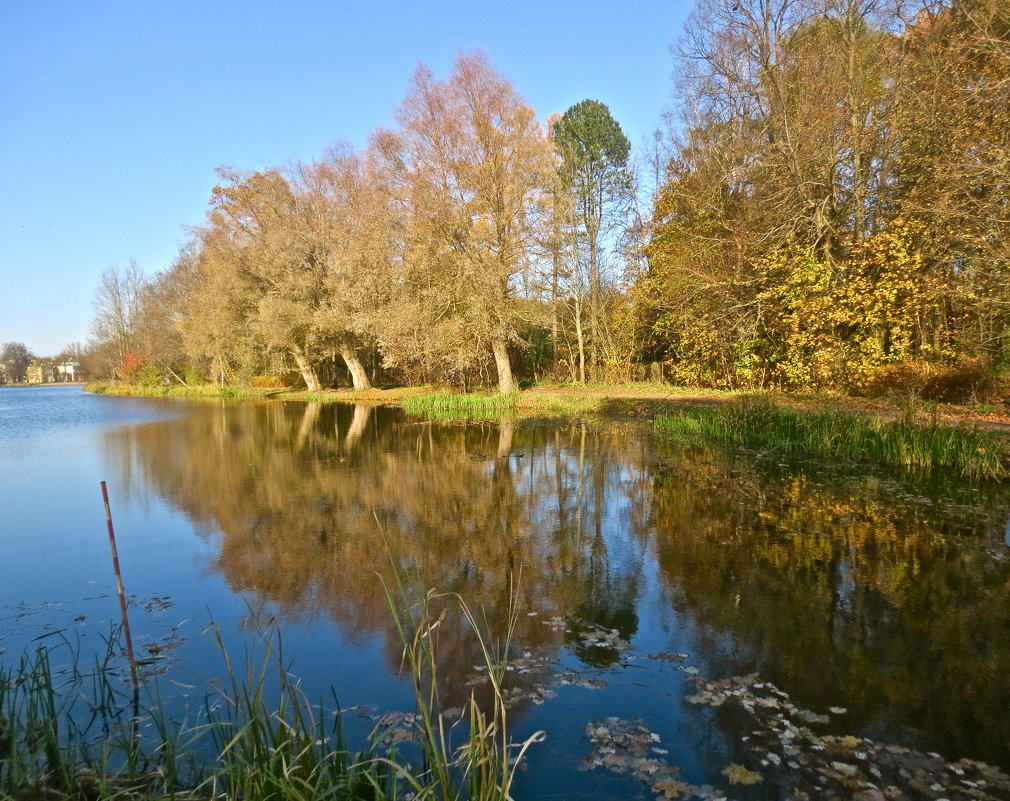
[(845, 589)]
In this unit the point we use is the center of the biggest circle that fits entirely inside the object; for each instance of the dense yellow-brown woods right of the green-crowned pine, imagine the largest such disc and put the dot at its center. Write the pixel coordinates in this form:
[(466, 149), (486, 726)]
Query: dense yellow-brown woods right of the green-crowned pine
[(837, 211)]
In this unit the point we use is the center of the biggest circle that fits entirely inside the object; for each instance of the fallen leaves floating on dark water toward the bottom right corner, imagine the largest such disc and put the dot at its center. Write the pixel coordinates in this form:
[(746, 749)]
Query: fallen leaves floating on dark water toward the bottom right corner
[(782, 749)]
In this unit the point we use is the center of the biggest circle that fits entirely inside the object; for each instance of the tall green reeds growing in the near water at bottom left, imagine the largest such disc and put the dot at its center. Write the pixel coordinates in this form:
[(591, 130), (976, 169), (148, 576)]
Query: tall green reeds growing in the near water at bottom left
[(76, 732)]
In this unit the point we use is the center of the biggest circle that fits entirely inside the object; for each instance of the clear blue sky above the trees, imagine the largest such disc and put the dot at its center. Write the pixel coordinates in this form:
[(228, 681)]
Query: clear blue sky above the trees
[(115, 114)]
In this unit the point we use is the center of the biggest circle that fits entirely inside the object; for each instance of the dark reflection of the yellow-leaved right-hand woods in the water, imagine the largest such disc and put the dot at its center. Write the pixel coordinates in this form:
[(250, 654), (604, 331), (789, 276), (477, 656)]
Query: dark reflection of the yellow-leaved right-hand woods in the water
[(848, 590)]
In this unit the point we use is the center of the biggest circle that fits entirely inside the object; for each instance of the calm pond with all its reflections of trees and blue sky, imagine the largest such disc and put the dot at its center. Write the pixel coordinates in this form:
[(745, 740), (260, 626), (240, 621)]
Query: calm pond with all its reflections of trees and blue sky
[(657, 583)]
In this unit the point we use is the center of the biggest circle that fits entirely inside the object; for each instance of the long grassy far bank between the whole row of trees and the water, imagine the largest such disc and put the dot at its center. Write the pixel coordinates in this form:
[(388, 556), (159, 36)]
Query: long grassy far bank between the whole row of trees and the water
[(829, 428)]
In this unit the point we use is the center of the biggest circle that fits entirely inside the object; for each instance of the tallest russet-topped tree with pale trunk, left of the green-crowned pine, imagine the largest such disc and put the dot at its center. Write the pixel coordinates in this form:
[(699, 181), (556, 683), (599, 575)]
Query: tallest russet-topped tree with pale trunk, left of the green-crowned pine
[(469, 165)]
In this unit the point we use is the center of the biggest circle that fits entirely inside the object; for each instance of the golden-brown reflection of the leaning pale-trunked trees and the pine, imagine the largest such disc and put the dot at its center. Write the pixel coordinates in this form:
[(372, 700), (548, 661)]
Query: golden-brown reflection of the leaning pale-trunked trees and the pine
[(312, 504)]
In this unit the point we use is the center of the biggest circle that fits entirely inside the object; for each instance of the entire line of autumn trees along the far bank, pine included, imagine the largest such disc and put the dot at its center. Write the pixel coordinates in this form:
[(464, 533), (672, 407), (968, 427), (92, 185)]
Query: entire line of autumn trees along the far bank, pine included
[(832, 210)]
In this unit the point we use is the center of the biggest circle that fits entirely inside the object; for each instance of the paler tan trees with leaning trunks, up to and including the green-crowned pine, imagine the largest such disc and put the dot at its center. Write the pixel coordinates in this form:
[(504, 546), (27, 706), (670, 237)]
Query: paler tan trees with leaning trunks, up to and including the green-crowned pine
[(460, 246)]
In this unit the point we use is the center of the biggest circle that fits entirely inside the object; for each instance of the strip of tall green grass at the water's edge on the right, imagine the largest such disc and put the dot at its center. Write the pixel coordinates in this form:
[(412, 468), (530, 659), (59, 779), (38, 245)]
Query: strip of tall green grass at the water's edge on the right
[(905, 443)]
